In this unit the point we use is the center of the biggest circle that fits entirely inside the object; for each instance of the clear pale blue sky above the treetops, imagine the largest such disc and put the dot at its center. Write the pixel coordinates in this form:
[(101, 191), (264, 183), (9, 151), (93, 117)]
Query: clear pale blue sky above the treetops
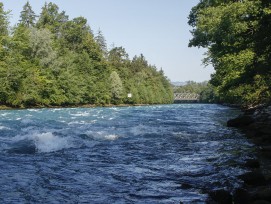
[(156, 28)]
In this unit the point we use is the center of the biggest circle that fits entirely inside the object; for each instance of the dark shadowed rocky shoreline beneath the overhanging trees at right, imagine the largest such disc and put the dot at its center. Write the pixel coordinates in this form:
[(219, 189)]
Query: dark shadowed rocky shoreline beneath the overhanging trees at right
[(256, 124)]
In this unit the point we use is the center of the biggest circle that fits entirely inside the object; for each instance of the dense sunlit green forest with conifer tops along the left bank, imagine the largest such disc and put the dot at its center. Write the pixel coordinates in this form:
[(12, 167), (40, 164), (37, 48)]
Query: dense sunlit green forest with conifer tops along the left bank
[(51, 60)]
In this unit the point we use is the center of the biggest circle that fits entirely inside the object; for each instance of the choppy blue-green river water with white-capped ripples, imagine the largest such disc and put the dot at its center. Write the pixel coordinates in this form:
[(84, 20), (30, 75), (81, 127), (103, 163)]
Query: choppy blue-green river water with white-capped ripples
[(150, 154)]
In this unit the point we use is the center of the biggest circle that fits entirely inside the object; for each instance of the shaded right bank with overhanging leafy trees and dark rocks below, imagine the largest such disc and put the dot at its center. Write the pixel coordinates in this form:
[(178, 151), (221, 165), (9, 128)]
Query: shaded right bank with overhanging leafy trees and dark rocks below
[(237, 35)]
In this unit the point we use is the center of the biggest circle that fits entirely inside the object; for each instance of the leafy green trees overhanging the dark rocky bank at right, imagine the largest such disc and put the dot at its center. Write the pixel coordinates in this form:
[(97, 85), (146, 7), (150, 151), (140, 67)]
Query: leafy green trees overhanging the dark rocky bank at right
[(237, 36)]
